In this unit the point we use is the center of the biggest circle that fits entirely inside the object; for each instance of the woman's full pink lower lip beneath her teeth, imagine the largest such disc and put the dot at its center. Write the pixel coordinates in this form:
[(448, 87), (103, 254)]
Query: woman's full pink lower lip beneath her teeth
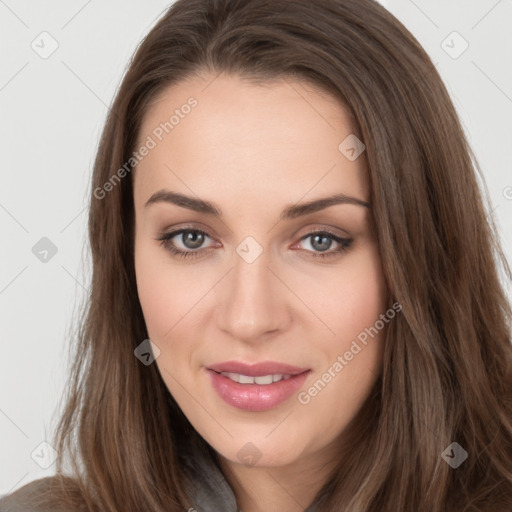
[(256, 397)]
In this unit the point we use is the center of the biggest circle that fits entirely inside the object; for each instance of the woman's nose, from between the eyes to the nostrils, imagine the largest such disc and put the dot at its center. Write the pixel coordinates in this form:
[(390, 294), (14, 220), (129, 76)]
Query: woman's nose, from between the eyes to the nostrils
[(252, 303)]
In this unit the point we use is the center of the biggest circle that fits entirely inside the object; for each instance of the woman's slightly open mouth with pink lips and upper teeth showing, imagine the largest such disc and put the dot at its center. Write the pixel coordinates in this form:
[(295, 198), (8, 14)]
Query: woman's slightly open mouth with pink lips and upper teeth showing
[(256, 387)]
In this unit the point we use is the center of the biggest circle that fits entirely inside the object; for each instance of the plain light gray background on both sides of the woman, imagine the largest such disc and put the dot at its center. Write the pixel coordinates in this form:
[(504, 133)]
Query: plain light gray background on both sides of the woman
[(52, 111)]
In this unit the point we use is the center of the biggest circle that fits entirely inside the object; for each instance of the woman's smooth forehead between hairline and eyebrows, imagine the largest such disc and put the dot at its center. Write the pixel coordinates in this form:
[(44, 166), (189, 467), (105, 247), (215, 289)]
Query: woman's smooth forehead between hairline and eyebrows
[(228, 135)]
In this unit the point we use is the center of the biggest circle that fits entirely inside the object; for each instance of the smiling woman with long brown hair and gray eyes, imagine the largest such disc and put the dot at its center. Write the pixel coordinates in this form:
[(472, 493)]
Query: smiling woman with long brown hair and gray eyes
[(295, 301)]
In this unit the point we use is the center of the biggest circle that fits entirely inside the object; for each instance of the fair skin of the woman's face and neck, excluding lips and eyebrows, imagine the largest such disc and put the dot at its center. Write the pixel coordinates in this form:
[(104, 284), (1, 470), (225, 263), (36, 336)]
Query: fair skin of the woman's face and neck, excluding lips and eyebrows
[(253, 150)]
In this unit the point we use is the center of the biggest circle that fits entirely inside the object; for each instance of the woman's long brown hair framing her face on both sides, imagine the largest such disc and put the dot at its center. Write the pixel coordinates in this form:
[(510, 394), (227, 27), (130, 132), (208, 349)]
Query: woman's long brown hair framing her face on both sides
[(447, 371)]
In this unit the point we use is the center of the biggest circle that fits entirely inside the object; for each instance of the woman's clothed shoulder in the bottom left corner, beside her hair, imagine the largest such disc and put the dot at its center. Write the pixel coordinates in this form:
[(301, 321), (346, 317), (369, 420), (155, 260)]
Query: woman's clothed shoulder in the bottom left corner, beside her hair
[(50, 494)]
